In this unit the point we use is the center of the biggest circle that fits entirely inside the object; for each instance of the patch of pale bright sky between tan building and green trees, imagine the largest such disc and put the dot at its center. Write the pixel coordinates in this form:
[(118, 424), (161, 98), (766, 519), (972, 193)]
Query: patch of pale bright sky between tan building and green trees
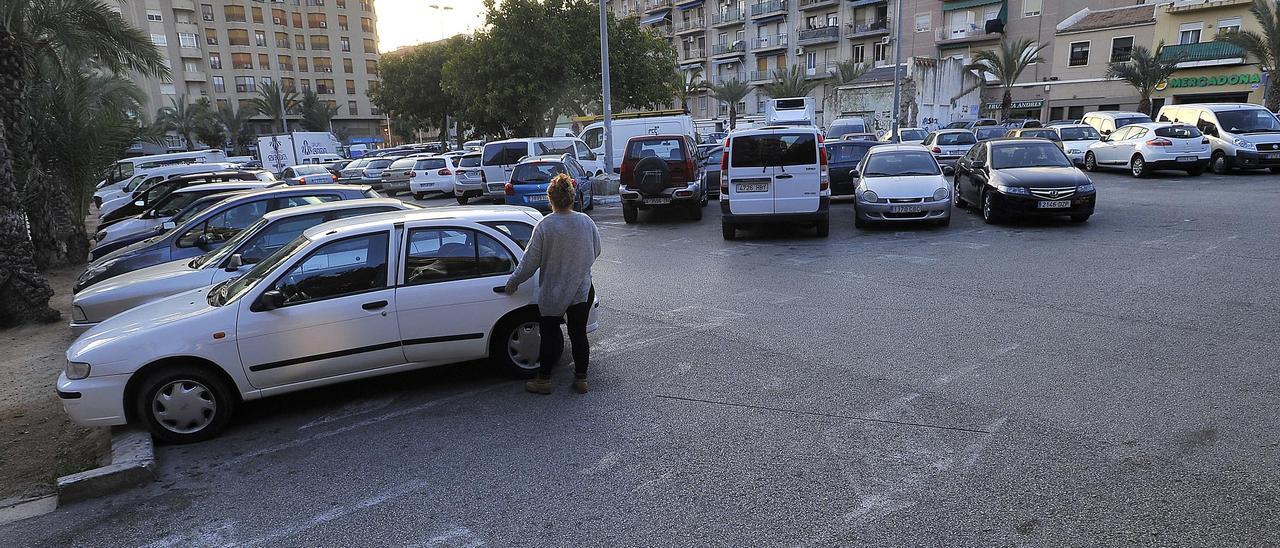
[(408, 22)]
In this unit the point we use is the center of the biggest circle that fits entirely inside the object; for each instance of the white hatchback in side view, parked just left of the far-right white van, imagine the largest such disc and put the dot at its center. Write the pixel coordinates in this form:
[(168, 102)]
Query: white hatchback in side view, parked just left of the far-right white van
[(1146, 148)]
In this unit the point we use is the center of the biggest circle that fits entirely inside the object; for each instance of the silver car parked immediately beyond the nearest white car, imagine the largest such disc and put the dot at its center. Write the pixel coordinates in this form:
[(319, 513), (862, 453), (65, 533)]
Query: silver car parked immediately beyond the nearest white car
[(249, 248)]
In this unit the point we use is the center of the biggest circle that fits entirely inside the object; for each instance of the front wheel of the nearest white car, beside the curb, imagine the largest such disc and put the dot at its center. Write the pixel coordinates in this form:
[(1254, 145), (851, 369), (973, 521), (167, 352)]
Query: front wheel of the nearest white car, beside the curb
[(185, 404)]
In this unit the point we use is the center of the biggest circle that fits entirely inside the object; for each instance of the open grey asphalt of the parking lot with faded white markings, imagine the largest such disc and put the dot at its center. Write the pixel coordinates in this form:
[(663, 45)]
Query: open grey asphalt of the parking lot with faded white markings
[(1036, 383)]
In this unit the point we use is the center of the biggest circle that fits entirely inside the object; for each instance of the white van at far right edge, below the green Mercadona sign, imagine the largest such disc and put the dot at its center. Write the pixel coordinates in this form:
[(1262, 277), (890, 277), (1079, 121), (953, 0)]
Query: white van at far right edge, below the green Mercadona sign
[(1241, 136)]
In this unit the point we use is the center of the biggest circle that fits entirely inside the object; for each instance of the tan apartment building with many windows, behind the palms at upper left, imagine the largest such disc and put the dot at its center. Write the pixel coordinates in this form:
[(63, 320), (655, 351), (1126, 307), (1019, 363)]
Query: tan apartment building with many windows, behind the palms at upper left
[(225, 49)]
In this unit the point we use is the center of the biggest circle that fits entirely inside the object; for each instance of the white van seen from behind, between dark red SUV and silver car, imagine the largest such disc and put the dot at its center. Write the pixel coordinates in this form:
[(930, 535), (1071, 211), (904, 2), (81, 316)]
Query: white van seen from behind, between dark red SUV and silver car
[(775, 175)]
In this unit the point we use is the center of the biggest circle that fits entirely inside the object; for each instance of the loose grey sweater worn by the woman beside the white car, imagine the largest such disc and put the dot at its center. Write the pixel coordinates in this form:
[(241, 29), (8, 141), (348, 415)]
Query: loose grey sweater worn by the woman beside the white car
[(564, 246)]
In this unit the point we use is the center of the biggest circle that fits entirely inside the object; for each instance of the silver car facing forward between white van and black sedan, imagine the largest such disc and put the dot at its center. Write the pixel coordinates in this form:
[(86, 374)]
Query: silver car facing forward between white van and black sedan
[(900, 184)]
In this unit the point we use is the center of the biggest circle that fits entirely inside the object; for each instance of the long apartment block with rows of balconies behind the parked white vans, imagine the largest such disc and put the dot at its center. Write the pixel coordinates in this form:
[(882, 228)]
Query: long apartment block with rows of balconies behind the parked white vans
[(748, 40)]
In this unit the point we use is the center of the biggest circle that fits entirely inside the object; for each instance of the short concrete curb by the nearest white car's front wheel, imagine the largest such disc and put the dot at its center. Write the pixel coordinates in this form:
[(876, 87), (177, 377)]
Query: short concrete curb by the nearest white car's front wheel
[(132, 464)]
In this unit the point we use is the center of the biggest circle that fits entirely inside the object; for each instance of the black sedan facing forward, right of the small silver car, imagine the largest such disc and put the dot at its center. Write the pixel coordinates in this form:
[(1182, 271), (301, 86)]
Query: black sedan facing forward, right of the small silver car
[(1023, 177)]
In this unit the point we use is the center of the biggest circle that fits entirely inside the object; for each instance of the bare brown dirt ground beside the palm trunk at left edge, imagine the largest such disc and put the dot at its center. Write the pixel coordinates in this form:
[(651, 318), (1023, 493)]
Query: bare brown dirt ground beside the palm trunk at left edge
[(38, 441)]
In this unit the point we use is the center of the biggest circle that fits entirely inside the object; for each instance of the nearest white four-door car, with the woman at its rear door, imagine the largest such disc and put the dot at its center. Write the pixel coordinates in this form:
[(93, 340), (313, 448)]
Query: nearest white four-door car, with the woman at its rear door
[(350, 299)]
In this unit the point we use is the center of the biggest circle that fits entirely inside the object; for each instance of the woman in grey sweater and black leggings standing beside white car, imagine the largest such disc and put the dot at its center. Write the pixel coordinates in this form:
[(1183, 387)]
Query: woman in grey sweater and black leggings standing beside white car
[(564, 246)]
